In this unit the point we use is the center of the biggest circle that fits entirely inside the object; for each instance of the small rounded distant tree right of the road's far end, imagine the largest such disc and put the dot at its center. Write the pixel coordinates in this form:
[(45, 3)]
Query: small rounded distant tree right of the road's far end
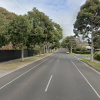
[(69, 42)]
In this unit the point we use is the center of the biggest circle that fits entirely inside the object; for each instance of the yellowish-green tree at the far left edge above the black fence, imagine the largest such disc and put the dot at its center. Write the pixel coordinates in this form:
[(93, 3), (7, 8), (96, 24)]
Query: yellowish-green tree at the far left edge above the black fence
[(5, 18)]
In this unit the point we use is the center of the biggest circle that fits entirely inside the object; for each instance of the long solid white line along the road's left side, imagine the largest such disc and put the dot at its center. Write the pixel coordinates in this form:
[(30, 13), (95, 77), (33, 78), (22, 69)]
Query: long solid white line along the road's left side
[(21, 75)]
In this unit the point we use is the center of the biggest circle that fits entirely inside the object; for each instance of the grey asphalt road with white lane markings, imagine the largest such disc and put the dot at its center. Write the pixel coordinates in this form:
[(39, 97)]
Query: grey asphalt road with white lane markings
[(60, 76)]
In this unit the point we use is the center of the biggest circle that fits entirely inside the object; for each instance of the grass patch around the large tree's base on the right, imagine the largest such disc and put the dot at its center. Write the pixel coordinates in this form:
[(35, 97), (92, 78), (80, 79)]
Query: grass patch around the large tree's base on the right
[(94, 64)]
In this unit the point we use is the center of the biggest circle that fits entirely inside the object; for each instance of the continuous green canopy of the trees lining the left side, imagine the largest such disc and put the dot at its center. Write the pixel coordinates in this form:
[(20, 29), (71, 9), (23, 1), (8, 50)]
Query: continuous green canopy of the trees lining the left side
[(32, 29)]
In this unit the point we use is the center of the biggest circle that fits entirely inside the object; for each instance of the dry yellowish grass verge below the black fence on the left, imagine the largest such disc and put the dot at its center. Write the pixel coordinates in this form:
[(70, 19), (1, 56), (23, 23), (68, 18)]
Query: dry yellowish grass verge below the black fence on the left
[(16, 64)]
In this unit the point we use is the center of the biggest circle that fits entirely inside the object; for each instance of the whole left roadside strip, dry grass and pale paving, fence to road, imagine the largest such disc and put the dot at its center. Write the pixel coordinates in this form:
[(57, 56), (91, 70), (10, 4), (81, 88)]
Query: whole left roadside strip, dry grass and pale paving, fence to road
[(13, 65)]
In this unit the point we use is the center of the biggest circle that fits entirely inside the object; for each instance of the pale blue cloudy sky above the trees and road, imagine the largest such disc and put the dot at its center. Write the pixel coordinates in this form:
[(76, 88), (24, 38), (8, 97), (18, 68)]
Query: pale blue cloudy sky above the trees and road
[(63, 12)]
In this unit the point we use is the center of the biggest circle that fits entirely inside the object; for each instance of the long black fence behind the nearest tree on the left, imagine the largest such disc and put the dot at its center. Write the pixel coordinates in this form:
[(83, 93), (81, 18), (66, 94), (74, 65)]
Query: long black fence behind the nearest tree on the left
[(6, 55)]
